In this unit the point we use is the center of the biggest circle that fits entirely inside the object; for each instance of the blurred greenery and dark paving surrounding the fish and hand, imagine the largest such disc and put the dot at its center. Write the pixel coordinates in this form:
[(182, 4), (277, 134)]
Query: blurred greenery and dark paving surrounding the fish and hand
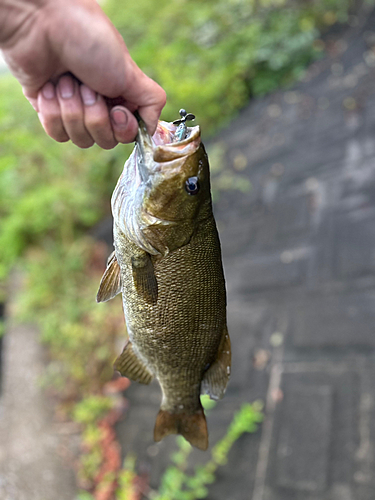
[(284, 91)]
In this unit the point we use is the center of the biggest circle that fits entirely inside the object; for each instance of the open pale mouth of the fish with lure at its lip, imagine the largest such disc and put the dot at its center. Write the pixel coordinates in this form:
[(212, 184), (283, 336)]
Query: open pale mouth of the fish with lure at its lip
[(161, 148)]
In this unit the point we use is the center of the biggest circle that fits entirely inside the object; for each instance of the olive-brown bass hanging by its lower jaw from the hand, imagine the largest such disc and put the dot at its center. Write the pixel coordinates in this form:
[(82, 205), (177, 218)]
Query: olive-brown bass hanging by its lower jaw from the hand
[(167, 264)]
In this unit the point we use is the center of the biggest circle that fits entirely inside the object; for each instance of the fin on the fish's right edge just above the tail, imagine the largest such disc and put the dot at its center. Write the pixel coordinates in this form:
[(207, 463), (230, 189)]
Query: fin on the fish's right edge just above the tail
[(216, 378)]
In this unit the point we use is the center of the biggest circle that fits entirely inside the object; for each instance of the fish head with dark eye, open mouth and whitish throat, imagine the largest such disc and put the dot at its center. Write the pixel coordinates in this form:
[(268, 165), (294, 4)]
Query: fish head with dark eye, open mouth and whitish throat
[(169, 190)]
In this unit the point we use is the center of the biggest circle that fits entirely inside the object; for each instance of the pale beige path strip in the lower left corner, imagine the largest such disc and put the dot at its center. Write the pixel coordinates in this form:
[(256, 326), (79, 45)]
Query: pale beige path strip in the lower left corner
[(35, 452)]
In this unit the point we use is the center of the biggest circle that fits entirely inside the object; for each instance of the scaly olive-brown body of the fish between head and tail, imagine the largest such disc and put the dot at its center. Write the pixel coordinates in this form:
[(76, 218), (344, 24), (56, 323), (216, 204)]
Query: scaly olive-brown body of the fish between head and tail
[(187, 311)]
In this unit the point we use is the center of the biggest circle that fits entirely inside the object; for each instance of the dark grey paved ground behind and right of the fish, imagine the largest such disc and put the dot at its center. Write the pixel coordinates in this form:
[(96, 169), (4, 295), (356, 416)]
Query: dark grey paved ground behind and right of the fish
[(299, 256)]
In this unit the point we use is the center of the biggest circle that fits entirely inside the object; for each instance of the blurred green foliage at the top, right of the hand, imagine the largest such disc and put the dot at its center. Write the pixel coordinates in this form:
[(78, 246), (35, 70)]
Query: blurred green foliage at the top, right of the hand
[(211, 56)]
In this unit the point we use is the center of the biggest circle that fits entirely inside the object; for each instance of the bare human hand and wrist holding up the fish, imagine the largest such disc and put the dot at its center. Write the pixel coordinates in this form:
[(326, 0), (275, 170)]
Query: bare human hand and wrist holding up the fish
[(46, 42)]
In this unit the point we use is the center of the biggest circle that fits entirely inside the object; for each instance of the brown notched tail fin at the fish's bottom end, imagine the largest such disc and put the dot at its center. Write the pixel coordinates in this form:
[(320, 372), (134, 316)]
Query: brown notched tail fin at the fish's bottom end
[(192, 426)]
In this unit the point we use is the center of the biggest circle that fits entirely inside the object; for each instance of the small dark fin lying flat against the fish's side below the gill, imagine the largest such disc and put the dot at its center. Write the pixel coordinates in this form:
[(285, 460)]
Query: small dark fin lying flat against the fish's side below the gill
[(144, 277)]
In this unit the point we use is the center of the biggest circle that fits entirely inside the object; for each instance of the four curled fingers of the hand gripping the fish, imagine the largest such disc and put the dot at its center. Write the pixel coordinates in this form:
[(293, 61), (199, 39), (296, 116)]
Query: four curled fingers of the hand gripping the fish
[(73, 111)]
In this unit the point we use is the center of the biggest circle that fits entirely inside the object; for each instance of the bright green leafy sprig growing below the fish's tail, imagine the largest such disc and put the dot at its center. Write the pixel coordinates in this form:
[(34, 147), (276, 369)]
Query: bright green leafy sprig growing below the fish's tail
[(177, 484)]
